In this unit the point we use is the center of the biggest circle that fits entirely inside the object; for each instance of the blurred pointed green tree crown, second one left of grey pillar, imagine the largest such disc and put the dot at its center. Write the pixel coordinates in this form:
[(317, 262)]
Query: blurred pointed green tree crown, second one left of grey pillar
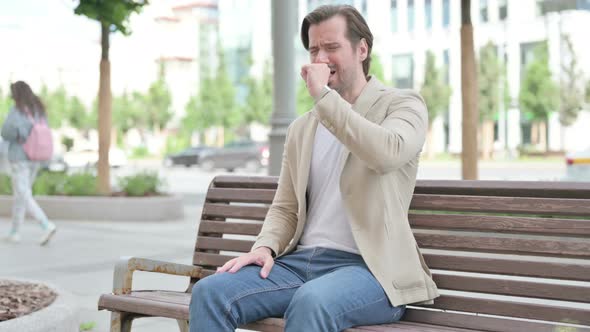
[(215, 103)]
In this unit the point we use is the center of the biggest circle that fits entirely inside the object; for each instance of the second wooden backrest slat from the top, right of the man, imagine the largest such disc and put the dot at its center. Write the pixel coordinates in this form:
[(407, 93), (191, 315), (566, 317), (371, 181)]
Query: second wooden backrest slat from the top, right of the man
[(537, 206)]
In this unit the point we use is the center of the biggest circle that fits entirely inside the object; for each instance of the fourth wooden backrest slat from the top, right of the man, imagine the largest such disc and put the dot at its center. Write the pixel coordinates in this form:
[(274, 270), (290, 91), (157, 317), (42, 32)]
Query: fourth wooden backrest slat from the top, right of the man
[(573, 249)]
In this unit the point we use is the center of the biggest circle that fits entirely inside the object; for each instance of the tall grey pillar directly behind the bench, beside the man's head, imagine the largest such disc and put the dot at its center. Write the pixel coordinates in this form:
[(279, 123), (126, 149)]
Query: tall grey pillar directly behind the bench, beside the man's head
[(284, 28)]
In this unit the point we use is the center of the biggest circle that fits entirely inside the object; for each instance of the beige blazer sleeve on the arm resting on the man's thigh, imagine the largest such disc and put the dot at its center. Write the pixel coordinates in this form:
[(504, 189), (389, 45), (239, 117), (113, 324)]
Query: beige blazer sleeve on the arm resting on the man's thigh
[(281, 220)]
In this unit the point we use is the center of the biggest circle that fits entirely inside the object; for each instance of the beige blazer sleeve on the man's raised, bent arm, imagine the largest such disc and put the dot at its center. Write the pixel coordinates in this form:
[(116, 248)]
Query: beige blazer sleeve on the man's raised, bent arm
[(384, 147)]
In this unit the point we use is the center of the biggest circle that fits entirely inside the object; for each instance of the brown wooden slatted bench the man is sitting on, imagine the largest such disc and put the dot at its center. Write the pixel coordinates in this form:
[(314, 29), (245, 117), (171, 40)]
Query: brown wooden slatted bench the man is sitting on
[(507, 256)]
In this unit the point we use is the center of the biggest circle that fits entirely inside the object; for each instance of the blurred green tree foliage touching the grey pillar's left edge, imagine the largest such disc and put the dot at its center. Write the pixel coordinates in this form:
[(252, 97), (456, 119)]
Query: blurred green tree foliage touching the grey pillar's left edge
[(258, 106)]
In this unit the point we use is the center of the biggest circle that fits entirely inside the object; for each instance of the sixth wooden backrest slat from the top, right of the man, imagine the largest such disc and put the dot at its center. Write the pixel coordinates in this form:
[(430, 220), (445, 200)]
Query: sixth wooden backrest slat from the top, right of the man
[(512, 287)]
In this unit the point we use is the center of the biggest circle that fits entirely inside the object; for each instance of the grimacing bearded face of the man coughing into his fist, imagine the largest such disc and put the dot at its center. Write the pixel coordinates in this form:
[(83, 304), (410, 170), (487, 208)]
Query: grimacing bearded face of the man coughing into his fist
[(328, 44)]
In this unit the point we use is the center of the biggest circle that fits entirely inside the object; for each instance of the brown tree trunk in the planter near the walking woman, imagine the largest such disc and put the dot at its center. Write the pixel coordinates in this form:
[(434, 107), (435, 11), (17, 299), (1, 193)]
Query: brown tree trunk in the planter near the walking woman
[(104, 115)]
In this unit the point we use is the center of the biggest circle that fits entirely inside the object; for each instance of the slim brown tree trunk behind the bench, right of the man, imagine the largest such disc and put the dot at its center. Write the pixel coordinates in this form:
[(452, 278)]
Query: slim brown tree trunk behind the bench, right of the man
[(469, 95)]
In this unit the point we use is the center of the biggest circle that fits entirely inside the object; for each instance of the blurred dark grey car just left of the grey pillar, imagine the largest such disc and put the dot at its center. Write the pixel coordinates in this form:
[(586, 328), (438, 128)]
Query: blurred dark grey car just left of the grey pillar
[(249, 155)]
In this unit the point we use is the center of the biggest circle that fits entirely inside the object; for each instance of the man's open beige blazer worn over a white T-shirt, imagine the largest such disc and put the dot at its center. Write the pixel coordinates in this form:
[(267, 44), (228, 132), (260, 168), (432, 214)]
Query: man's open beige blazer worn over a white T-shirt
[(383, 134)]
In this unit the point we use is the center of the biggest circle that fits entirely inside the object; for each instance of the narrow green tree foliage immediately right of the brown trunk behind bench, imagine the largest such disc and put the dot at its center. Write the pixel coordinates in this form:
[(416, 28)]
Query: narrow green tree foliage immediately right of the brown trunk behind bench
[(490, 76)]
